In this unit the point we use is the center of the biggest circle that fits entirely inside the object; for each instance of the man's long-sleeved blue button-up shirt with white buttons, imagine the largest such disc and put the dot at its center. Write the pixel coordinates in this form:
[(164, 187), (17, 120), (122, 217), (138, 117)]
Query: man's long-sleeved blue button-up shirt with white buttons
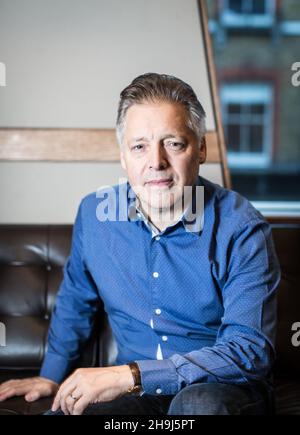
[(193, 304)]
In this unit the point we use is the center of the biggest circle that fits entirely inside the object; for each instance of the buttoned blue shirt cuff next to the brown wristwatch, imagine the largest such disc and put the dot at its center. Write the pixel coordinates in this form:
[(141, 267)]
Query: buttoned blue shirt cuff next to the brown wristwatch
[(159, 377)]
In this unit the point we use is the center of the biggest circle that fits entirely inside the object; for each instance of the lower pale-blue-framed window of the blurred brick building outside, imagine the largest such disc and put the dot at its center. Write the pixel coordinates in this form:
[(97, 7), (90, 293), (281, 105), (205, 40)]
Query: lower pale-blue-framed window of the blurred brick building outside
[(247, 116)]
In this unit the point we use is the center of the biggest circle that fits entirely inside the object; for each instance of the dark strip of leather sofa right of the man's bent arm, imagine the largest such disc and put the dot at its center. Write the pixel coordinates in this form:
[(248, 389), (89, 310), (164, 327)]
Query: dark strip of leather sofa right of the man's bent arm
[(287, 372)]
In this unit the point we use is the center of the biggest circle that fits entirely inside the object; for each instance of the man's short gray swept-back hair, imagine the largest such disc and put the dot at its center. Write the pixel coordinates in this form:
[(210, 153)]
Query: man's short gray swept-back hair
[(161, 87)]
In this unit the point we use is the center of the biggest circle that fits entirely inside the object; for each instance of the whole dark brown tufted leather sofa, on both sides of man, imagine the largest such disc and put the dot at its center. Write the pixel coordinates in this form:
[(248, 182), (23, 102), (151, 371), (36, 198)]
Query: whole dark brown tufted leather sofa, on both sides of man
[(31, 262)]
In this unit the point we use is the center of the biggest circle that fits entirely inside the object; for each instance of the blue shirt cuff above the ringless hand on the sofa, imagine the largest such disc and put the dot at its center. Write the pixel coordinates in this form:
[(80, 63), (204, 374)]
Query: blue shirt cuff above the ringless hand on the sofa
[(55, 367)]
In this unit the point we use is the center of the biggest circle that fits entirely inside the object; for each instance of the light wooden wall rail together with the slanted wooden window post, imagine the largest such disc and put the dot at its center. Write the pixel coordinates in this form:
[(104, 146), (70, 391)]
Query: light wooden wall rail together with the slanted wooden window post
[(36, 144)]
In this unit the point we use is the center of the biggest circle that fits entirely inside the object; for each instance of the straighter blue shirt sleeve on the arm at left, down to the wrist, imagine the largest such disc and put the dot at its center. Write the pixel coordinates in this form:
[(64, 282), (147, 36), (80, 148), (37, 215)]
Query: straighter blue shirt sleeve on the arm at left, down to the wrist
[(73, 314)]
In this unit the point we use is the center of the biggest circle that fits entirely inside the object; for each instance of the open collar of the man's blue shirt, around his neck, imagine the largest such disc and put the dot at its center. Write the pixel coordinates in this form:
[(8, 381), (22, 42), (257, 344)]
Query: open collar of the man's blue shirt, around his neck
[(192, 218)]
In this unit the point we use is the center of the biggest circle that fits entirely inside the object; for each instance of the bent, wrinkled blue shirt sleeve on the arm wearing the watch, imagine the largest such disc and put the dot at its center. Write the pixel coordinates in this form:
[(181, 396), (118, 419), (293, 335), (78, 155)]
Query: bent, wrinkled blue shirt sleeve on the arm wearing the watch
[(244, 348)]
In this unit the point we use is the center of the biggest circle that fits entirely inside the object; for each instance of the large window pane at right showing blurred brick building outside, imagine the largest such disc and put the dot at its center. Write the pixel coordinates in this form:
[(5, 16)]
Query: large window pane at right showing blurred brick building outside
[(257, 67)]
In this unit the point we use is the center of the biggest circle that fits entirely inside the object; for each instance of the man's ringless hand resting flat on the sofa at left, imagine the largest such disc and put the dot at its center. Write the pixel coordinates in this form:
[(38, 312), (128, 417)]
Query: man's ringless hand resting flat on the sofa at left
[(32, 388)]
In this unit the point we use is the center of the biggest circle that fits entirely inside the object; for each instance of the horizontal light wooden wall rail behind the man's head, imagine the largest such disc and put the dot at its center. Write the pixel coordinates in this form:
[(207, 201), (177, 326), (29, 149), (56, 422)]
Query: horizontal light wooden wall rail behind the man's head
[(72, 145)]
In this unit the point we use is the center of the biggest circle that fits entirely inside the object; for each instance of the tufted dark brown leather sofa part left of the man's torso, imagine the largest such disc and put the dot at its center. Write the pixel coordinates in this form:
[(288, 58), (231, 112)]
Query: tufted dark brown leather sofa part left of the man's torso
[(31, 263)]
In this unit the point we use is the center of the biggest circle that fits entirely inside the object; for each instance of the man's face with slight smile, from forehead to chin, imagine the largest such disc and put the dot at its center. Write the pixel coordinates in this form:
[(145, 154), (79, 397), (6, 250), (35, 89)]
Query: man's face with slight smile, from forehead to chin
[(160, 153)]
